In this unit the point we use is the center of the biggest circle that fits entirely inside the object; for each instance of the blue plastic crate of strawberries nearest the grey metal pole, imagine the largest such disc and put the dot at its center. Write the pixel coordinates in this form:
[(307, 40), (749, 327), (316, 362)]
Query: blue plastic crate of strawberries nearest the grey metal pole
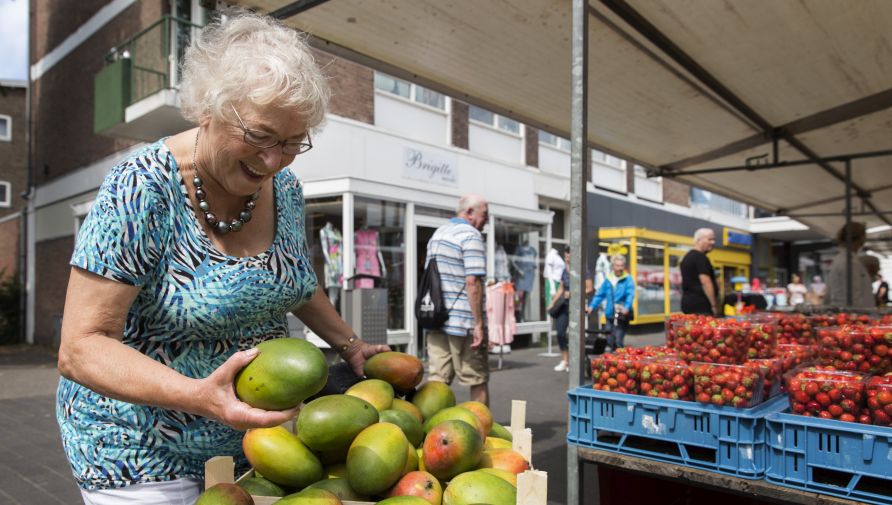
[(719, 439)]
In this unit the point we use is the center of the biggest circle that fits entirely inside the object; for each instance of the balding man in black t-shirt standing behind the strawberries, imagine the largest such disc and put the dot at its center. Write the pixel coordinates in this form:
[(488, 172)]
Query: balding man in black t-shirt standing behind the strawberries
[(699, 292)]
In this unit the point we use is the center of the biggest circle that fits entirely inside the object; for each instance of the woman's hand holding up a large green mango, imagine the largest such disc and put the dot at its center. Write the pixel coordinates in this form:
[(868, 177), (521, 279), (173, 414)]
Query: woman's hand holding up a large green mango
[(218, 400)]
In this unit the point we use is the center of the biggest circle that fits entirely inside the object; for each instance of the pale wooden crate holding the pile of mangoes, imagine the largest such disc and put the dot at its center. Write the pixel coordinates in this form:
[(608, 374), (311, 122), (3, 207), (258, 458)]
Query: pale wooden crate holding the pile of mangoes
[(532, 485)]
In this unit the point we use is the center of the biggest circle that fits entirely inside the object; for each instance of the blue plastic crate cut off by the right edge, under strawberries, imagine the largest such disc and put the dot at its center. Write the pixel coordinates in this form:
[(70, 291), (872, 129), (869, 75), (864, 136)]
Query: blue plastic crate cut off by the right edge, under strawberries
[(832, 457)]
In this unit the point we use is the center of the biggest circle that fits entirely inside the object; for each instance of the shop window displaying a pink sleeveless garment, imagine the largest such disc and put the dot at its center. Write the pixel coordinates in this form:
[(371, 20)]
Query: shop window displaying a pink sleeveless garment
[(380, 251)]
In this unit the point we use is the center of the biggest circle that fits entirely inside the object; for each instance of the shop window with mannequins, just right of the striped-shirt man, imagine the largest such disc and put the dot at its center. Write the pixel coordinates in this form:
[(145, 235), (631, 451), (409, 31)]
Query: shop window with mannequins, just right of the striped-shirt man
[(518, 260)]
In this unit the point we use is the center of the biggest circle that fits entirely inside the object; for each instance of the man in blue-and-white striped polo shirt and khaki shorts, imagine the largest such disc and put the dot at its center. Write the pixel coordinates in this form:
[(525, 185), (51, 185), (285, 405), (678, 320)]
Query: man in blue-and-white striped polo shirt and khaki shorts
[(461, 346)]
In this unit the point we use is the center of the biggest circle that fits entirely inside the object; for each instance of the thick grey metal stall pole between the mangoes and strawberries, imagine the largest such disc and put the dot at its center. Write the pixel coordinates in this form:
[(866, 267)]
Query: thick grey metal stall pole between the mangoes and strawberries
[(579, 164)]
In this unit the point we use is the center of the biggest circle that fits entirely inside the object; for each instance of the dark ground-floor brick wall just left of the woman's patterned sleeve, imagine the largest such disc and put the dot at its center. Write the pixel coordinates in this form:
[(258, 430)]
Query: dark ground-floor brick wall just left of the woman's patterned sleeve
[(50, 285)]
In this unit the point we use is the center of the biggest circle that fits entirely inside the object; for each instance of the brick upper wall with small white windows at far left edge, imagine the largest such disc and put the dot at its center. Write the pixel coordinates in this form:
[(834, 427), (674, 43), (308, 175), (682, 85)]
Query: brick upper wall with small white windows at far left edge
[(14, 154)]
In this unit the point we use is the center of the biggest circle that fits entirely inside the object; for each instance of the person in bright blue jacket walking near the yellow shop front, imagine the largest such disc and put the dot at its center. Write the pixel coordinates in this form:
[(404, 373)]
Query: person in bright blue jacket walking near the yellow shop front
[(618, 291)]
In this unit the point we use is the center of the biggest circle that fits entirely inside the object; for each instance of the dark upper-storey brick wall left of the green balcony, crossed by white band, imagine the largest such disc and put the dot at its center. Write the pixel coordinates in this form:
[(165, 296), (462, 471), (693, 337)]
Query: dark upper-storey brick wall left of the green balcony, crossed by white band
[(62, 99)]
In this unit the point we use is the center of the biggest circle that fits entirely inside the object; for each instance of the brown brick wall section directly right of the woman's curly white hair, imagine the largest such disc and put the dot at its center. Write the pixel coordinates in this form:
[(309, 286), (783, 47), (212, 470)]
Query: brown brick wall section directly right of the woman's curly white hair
[(352, 87)]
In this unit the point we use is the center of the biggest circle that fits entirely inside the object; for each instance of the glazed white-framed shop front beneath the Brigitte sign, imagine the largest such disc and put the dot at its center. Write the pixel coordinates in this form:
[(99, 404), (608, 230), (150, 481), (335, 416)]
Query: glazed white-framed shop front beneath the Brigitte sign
[(367, 238)]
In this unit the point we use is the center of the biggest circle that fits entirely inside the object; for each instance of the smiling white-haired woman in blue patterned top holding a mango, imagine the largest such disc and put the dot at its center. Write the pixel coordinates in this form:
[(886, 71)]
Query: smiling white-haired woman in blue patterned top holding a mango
[(193, 252)]
